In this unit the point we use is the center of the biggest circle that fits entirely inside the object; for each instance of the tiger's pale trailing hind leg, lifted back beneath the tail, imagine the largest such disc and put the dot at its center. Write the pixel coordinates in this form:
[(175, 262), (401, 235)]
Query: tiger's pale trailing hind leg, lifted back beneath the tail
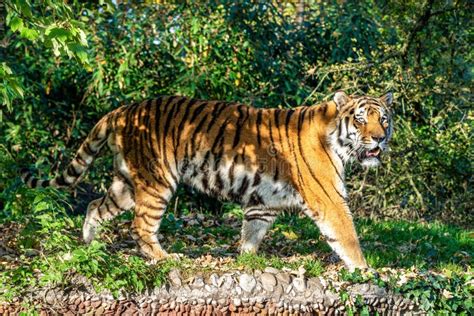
[(119, 198)]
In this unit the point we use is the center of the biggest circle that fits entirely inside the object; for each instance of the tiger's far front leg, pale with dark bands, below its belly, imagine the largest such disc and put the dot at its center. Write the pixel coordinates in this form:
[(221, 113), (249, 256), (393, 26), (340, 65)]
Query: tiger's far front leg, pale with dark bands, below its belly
[(257, 221)]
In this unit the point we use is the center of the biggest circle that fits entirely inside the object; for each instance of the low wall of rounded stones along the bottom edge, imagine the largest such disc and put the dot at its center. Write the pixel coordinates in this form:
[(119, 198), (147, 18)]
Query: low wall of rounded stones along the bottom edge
[(263, 292)]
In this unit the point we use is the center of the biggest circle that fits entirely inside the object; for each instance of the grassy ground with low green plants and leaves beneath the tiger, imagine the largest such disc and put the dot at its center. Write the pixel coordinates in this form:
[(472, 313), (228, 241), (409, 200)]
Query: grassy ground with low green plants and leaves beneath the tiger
[(47, 250)]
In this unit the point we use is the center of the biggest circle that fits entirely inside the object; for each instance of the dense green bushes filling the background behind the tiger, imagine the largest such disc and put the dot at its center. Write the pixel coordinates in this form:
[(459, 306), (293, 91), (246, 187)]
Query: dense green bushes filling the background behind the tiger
[(259, 54)]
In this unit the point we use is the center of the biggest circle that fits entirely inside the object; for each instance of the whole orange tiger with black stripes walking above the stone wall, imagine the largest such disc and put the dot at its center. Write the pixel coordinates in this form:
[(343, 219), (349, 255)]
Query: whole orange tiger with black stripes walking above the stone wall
[(266, 159)]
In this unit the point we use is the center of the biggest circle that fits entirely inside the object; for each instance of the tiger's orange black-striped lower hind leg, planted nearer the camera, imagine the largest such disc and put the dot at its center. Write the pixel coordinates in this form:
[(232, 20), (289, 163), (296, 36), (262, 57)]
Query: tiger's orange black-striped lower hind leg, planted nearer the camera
[(150, 207)]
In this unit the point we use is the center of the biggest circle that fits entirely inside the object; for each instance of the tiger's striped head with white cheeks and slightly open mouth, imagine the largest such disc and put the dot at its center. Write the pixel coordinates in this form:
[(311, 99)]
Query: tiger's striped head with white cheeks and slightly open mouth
[(364, 127)]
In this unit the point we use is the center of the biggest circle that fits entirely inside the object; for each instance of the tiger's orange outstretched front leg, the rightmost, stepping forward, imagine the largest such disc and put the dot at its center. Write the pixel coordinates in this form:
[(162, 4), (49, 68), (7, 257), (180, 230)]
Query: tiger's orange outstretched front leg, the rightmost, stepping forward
[(337, 226)]
